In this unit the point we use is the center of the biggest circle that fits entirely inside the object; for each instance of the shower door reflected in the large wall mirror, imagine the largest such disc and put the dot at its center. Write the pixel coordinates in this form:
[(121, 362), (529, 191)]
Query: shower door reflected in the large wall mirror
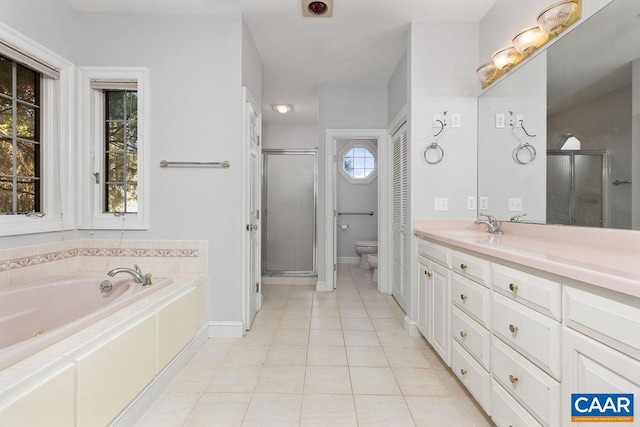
[(576, 188)]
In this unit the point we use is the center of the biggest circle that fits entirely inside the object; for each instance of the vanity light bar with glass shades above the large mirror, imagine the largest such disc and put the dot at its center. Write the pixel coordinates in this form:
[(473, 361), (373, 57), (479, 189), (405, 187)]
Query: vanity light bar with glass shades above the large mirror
[(551, 22)]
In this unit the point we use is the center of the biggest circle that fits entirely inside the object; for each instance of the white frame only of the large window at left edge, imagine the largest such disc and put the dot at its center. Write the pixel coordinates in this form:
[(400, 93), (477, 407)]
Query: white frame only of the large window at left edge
[(57, 136)]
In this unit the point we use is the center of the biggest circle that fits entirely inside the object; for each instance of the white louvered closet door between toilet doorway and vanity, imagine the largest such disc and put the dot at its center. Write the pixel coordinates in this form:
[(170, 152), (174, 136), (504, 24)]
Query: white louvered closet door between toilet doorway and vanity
[(401, 236)]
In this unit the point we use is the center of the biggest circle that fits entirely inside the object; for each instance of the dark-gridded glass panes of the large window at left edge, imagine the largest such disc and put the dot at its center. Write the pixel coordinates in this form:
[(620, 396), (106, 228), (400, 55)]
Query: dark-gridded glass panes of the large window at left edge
[(19, 138)]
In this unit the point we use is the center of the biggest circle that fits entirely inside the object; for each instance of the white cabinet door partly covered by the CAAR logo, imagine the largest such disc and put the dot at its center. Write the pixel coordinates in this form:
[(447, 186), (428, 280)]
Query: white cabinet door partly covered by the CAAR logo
[(591, 367)]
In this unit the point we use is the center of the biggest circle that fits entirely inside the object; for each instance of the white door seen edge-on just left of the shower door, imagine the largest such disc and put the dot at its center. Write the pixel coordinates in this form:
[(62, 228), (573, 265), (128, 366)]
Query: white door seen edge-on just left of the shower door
[(254, 177)]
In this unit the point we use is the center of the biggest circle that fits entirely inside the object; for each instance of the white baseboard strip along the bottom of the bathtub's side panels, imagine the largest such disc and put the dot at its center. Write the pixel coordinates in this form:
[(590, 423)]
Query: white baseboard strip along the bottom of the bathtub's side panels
[(136, 409)]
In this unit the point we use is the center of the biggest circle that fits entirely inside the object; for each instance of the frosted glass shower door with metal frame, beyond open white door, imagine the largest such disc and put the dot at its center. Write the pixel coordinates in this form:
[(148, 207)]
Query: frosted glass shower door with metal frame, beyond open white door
[(289, 222)]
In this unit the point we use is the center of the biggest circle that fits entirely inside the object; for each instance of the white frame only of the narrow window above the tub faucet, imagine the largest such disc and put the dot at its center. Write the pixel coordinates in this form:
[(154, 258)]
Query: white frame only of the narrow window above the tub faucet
[(91, 149)]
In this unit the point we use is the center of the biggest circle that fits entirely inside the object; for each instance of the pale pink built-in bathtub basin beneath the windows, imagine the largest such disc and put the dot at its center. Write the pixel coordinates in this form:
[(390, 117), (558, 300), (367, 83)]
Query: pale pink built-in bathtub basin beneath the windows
[(35, 316)]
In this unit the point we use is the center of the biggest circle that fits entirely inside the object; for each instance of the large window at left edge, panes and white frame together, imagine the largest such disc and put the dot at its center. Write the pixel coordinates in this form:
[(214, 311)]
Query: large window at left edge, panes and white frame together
[(36, 137)]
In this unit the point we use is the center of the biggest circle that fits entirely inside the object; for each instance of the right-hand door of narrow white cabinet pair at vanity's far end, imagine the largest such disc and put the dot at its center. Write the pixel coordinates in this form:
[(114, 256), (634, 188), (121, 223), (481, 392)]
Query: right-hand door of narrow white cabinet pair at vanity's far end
[(440, 308)]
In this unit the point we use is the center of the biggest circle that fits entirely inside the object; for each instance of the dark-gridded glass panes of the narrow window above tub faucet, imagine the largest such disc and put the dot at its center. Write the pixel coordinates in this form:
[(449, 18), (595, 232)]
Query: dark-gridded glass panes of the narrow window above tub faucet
[(121, 151)]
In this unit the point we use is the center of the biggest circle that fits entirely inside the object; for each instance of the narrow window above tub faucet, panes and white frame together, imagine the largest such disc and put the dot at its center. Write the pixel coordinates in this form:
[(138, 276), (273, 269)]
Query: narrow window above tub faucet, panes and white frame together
[(114, 152)]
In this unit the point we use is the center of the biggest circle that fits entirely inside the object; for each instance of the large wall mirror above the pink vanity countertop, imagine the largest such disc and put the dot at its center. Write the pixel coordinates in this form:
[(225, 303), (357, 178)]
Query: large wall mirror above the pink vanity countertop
[(559, 137)]
